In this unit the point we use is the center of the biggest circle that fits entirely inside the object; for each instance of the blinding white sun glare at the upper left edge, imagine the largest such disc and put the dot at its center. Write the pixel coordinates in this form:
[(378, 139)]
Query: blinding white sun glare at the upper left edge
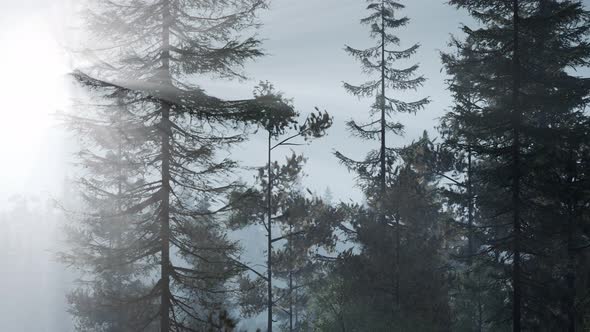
[(32, 89)]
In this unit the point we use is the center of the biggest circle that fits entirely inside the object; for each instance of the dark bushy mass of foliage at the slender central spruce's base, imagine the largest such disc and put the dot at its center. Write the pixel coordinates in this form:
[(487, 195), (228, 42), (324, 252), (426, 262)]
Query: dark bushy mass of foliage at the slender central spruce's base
[(363, 296)]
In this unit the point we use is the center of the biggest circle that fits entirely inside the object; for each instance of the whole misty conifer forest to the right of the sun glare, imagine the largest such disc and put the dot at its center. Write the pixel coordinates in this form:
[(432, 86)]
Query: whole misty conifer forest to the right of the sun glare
[(483, 229)]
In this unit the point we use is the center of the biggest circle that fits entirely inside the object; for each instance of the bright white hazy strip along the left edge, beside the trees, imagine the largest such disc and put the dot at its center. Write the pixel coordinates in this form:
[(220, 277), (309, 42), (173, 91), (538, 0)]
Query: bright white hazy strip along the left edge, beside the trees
[(32, 66)]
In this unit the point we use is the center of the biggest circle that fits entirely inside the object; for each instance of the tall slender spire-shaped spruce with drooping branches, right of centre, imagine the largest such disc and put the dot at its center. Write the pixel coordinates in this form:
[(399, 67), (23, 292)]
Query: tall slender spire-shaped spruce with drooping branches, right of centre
[(378, 172)]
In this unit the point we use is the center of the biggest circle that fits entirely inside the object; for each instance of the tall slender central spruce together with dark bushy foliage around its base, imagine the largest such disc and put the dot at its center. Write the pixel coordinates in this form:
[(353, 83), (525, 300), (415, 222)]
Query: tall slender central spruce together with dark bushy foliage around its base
[(398, 223)]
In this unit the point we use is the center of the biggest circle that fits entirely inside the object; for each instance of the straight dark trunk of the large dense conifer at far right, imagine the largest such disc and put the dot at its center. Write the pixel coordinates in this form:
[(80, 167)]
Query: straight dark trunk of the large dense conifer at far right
[(516, 118)]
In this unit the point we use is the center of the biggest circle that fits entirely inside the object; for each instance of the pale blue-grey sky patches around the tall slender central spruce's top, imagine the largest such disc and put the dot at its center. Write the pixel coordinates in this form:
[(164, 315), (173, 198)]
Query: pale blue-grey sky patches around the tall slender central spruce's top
[(305, 41)]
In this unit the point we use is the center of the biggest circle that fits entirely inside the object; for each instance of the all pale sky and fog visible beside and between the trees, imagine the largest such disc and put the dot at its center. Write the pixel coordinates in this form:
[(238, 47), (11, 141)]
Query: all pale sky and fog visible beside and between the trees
[(304, 41)]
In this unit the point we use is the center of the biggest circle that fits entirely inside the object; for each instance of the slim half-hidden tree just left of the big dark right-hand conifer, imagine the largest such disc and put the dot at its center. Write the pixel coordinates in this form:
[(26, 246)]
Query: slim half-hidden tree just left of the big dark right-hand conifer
[(456, 166)]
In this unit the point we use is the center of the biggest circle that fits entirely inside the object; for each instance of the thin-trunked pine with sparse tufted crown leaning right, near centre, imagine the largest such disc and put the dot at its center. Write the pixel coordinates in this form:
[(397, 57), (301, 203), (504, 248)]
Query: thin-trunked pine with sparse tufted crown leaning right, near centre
[(276, 183)]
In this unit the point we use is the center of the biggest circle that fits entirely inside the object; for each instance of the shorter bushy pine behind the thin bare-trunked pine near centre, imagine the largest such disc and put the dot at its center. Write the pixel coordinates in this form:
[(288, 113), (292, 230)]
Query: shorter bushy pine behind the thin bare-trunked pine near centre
[(300, 222)]
